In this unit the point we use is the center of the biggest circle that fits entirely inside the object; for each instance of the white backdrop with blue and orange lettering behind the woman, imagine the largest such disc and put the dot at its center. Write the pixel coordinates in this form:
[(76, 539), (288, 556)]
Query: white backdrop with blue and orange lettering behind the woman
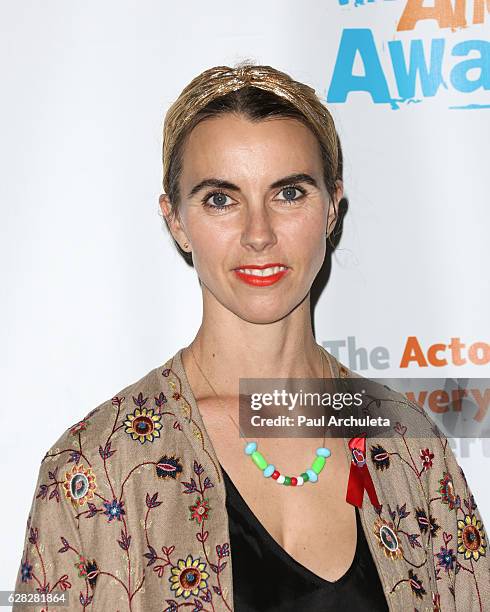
[(84, 90)]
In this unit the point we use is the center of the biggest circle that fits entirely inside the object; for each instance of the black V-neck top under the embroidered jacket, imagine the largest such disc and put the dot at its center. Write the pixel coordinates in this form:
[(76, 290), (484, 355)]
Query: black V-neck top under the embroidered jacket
[(266, 578)]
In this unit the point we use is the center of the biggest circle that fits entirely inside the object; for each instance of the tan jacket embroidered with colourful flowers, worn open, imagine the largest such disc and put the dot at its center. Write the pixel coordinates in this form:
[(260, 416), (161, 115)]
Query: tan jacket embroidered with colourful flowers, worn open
[(129, 511)]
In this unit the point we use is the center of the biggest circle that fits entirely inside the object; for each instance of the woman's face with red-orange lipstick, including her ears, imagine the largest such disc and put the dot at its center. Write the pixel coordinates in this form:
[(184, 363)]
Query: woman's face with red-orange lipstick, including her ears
[(253, 194)]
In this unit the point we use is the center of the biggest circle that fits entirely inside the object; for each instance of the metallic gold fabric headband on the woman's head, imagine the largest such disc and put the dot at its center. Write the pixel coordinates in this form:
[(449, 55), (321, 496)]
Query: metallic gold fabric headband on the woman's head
[(221, 80)]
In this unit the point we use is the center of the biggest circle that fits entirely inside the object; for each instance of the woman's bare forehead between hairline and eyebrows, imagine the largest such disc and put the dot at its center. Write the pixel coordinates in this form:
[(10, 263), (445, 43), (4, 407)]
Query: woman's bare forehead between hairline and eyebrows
[(232, 145)]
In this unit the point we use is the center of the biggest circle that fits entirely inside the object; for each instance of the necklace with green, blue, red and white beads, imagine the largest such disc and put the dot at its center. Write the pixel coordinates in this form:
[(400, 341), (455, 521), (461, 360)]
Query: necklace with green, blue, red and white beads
[(268, 470)]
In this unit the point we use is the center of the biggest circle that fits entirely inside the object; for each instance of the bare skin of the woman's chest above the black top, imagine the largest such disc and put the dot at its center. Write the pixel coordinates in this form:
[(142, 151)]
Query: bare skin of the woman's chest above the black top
[(313, 523)]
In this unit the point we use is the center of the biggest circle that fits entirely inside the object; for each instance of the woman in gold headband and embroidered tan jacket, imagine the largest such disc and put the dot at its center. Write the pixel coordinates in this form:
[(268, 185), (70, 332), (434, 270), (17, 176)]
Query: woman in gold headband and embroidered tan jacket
[(150, 503)]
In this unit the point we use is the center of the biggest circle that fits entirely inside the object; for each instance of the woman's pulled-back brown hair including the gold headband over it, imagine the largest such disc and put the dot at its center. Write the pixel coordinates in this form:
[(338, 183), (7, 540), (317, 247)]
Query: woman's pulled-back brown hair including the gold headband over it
[(257, 92)]
